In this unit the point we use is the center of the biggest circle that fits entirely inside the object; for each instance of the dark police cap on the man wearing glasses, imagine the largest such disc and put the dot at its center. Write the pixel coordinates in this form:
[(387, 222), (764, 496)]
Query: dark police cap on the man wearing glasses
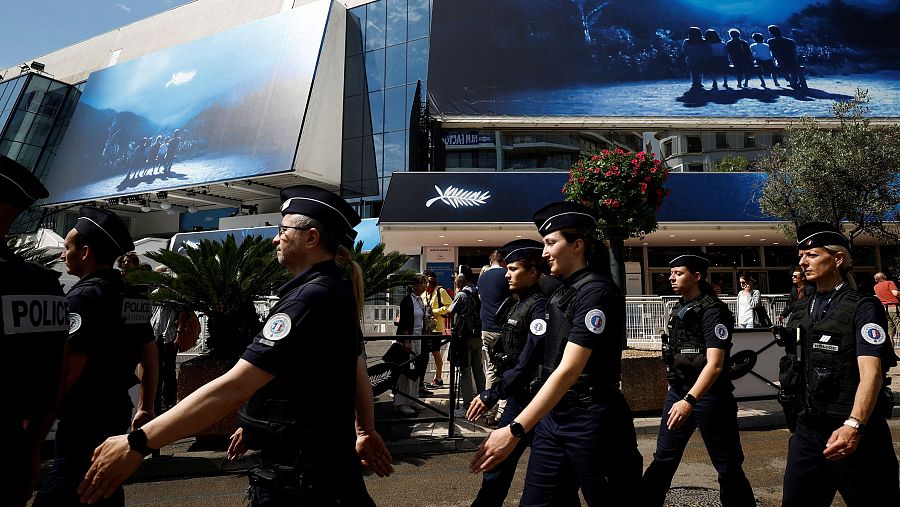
[(323, 206)]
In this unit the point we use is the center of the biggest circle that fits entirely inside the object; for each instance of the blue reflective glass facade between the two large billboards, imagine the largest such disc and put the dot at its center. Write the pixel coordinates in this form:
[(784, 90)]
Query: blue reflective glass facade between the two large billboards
[(386, 55)]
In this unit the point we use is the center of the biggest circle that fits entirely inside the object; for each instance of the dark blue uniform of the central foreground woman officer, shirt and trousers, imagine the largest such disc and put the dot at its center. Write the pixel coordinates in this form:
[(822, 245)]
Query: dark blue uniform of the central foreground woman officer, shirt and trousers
[(588, 439)]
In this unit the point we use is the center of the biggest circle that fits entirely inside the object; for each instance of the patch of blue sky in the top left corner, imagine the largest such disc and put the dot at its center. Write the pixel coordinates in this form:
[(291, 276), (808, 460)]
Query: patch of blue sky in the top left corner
[(32, 28)]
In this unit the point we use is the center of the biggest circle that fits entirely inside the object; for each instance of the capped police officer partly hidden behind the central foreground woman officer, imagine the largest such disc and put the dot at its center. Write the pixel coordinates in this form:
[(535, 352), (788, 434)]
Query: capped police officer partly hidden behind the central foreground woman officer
[(518, 351)]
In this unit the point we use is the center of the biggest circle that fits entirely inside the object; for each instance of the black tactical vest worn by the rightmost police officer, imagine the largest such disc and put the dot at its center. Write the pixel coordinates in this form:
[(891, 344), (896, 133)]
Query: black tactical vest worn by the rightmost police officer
[(830, 367)]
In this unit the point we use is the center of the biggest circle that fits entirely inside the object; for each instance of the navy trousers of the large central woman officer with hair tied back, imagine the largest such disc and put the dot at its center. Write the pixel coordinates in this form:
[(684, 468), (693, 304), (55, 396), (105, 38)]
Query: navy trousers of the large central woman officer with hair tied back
[(589, 445)]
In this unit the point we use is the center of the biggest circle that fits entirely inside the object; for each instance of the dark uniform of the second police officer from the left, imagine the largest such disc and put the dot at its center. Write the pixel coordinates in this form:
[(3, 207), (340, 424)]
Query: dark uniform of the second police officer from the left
[(110, 324)]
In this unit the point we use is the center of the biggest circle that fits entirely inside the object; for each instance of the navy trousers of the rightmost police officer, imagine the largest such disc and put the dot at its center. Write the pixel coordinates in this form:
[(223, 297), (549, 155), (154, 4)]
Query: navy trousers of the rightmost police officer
[(866, 477)]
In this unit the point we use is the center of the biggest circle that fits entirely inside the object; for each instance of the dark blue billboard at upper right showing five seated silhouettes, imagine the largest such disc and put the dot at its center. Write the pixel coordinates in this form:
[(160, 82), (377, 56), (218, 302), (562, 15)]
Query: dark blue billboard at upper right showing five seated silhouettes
[(663, 58)]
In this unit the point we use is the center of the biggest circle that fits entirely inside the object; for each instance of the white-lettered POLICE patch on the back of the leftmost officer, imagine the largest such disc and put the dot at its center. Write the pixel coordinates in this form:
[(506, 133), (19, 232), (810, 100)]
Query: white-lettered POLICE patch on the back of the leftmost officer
[(34, 314)]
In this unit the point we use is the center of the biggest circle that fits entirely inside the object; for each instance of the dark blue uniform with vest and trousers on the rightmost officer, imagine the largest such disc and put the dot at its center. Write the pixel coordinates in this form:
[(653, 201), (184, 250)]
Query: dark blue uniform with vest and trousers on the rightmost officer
[(842, 326)]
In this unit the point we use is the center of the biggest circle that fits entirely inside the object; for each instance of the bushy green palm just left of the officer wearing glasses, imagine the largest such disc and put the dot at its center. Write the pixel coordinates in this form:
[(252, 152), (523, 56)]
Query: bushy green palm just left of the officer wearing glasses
[(220, 280)]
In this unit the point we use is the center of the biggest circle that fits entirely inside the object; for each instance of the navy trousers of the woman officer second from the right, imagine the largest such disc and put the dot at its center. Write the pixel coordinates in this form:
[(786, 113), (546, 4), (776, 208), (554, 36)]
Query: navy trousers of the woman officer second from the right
[(716, 416)]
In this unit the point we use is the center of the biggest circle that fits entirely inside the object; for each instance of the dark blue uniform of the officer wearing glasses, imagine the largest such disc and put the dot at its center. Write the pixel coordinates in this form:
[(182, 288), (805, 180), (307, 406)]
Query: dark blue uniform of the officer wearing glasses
[(313, 460)]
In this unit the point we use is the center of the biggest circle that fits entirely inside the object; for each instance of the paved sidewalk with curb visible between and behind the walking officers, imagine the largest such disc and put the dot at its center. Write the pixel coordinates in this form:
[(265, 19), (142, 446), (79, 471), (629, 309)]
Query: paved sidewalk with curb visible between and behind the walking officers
[(405, 436)]
